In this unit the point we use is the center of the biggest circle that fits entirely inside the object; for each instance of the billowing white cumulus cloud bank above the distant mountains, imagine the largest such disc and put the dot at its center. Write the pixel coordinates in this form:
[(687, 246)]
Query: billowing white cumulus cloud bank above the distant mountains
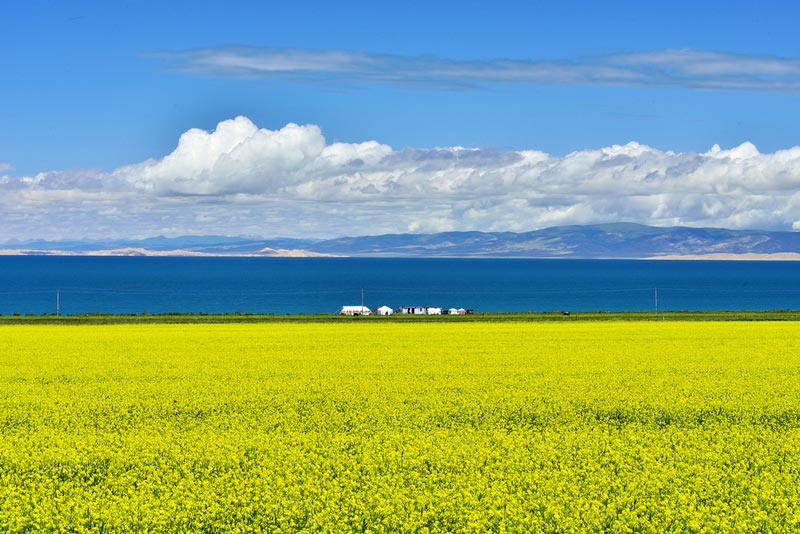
[(242, 179)]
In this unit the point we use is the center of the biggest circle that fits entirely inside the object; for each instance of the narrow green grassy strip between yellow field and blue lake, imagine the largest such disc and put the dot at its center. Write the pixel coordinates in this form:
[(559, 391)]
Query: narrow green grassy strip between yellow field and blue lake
[(187, 318)]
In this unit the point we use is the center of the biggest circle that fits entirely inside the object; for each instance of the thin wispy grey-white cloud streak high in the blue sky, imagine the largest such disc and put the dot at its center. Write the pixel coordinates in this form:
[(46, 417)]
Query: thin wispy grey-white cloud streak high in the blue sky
[(685, 68)]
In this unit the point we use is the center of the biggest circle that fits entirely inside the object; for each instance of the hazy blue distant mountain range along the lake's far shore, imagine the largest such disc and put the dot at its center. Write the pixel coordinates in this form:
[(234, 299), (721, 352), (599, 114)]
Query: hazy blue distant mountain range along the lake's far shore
[(616, 240)]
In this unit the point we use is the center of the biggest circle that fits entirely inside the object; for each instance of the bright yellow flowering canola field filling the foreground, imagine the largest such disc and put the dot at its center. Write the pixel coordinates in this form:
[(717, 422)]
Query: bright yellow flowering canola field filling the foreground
[(415, 427)]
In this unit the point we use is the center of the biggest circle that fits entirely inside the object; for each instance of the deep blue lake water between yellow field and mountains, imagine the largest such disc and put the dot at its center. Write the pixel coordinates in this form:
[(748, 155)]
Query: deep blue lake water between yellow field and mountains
[(29, 284)]
